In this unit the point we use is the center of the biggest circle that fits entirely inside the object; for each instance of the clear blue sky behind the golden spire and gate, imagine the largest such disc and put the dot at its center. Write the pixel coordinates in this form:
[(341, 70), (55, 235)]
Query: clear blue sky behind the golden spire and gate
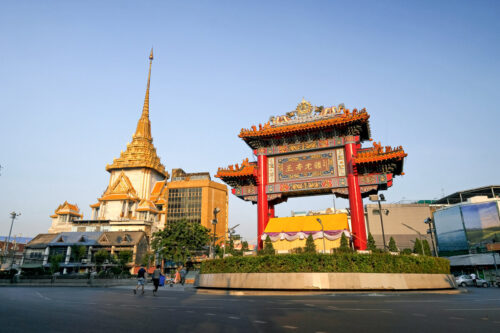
[(73, 76)]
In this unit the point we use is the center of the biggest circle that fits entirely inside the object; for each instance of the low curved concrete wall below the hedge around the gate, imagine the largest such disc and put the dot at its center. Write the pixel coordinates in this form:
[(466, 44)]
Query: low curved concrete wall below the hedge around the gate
[(326, 281)]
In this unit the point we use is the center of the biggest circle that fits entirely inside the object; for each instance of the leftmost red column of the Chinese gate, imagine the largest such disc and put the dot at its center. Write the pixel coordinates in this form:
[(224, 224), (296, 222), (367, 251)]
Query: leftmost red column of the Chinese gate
[(262, 205)]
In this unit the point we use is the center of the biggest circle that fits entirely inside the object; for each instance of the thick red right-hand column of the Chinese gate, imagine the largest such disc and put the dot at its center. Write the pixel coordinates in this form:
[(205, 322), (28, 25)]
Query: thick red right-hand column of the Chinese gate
[(355, 202)]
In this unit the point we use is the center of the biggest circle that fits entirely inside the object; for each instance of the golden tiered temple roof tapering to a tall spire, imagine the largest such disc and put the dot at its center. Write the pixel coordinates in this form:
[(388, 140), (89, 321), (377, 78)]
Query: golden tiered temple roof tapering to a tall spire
[(141, 153)]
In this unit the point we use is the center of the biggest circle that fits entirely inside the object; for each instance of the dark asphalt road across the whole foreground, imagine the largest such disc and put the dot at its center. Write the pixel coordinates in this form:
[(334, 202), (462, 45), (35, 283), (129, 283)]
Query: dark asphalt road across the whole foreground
[(181, 309)]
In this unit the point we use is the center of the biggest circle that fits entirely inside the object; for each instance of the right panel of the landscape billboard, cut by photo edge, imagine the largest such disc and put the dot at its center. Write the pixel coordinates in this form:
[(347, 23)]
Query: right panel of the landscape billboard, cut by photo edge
[(482, 223)]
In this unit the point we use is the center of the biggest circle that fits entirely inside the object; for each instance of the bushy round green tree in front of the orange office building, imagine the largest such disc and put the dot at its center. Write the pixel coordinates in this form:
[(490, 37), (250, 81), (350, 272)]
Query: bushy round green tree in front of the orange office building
[(180, 240)]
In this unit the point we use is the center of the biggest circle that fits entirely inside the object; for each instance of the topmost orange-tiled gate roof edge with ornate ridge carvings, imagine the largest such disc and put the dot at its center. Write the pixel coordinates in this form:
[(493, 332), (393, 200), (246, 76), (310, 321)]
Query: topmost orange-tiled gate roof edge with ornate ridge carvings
[(303, 118)]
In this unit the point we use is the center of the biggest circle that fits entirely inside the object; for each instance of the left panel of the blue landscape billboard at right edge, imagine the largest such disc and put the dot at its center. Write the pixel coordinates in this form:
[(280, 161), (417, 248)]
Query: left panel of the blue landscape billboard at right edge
[(450, 231)]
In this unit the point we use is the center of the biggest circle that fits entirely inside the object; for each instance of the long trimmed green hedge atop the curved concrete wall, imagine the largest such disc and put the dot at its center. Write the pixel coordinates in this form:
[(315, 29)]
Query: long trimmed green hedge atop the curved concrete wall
[(328, 263)]
